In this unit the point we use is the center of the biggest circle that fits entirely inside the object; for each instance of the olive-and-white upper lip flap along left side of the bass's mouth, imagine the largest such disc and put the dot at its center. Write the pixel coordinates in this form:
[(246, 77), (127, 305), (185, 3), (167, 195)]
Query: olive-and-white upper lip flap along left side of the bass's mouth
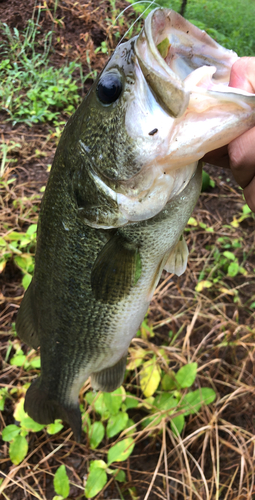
[(166, 85)]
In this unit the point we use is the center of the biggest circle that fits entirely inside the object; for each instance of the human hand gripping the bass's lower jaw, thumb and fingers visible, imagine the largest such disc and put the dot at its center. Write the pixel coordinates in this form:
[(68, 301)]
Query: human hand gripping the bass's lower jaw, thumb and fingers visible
[(239, 155)]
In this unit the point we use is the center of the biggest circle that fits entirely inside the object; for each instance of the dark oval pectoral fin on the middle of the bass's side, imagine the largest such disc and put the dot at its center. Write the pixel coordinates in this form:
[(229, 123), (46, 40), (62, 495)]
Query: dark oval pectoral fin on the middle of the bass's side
[(116, 269)]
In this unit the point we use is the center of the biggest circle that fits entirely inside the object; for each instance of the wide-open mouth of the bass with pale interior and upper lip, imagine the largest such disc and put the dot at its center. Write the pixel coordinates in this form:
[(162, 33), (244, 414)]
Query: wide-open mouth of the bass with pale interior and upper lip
[(169, 49)]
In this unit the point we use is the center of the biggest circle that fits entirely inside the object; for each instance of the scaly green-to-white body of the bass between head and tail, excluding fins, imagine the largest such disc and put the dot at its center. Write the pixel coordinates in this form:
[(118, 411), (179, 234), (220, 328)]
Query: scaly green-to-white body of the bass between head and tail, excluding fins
[(75, 330)]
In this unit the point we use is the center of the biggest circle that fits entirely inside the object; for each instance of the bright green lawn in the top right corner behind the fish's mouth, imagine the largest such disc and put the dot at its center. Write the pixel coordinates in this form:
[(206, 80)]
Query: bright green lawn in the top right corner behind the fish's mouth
[(231, 23)]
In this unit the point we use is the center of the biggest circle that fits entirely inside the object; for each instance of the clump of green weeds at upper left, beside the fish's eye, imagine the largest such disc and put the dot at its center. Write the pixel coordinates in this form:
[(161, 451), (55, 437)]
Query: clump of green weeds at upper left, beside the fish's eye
[(31, 90)]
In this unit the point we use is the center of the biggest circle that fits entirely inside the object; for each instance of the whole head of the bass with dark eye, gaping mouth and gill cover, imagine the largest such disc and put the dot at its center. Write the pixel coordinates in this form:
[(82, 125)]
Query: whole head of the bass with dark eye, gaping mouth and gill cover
[(158, 106)]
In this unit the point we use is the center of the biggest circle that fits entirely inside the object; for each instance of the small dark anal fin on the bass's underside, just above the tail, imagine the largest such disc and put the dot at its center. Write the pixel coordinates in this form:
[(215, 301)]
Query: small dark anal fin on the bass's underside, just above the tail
[(111, 378)]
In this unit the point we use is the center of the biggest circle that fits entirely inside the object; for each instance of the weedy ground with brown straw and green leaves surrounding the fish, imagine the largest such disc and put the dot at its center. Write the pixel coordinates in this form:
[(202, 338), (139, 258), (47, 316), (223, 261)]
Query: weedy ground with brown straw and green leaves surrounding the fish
[(182, 425)]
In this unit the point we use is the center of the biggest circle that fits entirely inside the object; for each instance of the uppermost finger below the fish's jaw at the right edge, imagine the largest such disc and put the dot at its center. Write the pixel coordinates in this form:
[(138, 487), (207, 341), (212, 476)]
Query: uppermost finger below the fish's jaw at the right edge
[(242, 162)]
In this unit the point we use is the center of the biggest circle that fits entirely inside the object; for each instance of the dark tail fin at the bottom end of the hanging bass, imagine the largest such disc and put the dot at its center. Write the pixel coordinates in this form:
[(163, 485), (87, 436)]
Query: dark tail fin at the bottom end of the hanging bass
[(44, 410)]
